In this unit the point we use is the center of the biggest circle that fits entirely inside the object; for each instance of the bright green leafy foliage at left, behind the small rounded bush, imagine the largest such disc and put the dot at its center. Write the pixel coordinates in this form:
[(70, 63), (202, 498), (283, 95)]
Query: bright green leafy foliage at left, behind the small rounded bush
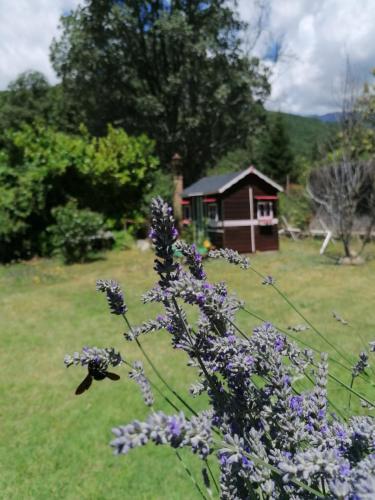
[(42, 169)]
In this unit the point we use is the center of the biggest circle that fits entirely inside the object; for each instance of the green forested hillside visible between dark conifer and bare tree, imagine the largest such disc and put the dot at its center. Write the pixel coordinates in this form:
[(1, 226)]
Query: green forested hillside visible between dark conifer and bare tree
[(307, 132)]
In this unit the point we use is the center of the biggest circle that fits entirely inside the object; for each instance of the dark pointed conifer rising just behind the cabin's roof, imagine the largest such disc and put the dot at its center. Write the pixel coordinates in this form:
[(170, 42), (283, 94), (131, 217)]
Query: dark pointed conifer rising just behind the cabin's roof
[(275, 155)]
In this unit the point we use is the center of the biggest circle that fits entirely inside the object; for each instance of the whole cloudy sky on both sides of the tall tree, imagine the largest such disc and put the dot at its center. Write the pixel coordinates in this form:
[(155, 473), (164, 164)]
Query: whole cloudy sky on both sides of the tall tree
[(316, 38)]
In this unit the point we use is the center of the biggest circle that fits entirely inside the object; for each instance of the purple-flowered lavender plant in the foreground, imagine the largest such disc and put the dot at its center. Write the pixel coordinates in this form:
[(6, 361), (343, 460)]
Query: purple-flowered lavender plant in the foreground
[(270, 439)]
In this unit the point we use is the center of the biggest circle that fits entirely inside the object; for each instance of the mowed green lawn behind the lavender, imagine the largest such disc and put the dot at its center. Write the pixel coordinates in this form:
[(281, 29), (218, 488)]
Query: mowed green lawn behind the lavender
[(54, 444)]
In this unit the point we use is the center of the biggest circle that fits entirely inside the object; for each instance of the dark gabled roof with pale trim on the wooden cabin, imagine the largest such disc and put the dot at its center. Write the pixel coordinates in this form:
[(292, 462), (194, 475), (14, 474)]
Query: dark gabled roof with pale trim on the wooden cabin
[(220, 183)]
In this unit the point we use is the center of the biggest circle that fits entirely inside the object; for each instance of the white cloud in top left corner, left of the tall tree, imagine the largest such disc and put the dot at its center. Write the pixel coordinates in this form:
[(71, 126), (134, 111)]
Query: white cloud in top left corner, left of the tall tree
[(26, 30)]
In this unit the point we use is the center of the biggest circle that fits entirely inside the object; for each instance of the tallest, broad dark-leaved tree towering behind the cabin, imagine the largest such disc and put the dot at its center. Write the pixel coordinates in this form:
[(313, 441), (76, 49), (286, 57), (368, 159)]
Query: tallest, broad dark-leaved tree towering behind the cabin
[(173, 69)]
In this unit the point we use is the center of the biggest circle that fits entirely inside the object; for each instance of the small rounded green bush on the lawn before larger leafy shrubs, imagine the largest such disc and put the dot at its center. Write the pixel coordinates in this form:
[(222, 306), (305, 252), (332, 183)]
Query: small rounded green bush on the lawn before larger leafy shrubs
[(76, 232)]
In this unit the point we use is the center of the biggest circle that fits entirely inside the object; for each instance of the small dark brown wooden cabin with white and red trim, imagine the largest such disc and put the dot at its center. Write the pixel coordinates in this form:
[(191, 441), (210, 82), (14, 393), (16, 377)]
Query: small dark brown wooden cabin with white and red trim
[(237, 210)]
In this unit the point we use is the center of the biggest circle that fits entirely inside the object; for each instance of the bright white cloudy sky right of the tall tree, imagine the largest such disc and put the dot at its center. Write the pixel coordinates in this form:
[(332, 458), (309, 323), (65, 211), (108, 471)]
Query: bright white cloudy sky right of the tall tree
[(317, 36)]
